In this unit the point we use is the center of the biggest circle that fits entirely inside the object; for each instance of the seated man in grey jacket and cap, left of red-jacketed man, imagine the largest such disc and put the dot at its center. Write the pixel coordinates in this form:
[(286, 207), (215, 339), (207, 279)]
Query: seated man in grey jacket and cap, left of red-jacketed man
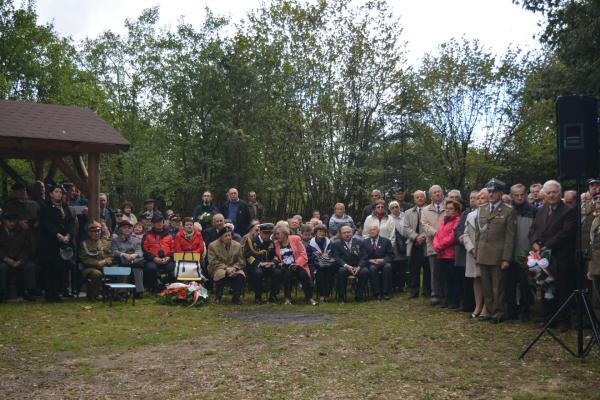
[(127, 251)]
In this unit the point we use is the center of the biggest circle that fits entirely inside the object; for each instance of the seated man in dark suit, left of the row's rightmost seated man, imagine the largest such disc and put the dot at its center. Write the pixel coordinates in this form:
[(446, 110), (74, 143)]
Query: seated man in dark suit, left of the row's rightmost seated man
[(347, 252)]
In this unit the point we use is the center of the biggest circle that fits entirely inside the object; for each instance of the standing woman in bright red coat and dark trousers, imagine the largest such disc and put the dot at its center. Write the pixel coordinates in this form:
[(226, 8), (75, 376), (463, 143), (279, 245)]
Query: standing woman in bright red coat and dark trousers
[(443, 243)]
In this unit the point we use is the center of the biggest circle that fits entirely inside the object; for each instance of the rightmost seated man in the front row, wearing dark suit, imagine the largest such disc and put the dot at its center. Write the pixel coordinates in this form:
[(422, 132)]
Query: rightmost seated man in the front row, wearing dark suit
[(377, 256)]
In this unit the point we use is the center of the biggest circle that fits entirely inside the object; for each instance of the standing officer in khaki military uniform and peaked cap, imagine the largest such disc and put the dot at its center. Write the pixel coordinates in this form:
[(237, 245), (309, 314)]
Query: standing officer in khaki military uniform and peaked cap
[(495, 239)]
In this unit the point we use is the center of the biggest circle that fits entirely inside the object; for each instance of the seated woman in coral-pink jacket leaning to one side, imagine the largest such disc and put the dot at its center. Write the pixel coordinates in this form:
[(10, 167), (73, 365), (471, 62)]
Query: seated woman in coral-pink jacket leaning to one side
[(291, 258)]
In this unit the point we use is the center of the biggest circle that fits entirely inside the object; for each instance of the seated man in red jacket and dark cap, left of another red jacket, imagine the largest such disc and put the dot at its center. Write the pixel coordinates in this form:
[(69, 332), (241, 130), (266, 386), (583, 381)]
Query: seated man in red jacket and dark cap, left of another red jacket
[(158, 251)]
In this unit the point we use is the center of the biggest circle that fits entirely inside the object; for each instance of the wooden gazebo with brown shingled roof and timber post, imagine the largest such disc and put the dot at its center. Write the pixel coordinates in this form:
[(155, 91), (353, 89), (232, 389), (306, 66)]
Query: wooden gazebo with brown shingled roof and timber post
[(50, 135)]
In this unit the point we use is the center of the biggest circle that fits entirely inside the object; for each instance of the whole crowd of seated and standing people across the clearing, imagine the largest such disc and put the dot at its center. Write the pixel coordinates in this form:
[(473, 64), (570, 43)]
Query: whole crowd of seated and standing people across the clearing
[(464, 254)]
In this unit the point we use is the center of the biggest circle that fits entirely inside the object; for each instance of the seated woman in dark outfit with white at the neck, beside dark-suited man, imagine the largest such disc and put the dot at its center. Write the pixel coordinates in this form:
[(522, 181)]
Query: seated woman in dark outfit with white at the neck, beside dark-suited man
[(323, 262)]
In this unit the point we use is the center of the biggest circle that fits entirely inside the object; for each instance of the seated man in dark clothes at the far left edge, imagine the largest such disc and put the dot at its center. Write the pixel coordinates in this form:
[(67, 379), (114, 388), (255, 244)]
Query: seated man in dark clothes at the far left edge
[(17, 248)]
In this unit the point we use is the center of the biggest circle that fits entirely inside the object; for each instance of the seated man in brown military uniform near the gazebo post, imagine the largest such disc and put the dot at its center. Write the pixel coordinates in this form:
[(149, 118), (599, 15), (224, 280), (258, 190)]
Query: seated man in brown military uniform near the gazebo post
[(95, 253)]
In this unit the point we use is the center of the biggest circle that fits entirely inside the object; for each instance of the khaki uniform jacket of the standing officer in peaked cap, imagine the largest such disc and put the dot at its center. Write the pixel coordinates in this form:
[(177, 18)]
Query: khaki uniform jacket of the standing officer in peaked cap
[(495, 234)]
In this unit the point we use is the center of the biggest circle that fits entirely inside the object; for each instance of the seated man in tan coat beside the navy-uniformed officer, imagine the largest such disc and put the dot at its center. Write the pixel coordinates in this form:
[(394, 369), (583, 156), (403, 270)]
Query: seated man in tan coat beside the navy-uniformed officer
[(226, 265)]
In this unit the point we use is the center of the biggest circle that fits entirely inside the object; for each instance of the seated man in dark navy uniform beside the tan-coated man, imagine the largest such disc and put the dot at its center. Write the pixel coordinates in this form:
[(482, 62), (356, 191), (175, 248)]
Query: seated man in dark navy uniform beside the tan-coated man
[(259, 254)]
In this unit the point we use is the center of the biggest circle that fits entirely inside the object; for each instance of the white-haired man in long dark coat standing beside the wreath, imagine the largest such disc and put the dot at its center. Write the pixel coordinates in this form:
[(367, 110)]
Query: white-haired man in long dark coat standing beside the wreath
[(554, 226)]
